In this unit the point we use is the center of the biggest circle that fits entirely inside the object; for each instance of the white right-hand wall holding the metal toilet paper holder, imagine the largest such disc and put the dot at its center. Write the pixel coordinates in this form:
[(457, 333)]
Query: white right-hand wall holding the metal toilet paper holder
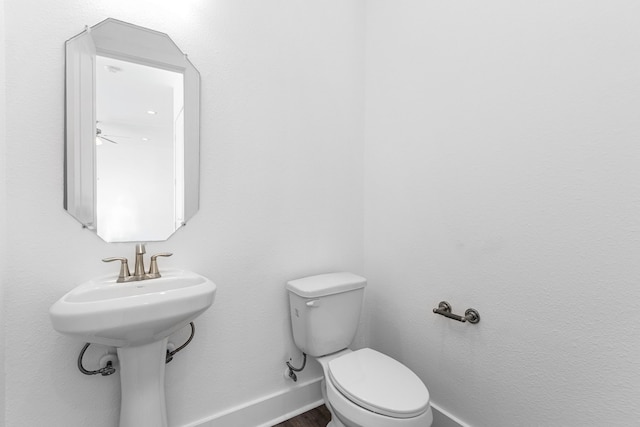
[(501, 173)]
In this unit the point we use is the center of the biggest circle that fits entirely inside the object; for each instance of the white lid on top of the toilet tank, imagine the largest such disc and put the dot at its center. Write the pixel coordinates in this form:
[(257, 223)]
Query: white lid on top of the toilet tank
[(326, 284)]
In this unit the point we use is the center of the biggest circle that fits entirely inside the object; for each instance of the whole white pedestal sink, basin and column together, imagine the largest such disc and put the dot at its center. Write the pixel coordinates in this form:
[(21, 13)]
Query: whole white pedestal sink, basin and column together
[(137, 318)]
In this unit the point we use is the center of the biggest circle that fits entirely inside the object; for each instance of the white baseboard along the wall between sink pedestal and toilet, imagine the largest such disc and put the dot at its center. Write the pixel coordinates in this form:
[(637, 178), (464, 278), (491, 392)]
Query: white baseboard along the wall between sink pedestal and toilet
[(268, 410)]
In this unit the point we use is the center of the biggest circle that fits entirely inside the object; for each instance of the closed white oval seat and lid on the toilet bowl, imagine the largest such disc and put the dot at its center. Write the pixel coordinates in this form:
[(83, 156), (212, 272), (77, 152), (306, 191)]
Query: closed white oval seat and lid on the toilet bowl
[(379, 384)]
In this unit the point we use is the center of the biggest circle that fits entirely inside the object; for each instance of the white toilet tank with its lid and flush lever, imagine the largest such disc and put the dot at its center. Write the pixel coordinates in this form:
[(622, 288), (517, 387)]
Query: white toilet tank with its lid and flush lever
[(325, 311)]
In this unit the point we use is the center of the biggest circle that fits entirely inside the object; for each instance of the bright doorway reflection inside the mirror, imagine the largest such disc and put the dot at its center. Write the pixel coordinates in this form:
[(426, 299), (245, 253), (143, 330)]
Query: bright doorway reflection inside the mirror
[(139, 111)]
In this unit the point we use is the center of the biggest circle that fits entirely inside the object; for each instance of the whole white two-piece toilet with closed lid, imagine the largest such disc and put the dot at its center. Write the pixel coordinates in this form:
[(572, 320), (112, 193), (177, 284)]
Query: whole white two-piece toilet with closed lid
[(361, 388)]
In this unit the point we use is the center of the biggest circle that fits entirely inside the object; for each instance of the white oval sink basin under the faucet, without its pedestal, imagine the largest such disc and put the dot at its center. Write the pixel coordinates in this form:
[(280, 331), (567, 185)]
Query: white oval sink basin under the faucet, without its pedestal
[(102, 311)]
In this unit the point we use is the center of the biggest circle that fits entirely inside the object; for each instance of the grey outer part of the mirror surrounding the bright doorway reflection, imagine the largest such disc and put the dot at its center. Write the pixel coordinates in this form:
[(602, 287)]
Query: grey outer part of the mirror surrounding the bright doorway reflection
[(134, 44)]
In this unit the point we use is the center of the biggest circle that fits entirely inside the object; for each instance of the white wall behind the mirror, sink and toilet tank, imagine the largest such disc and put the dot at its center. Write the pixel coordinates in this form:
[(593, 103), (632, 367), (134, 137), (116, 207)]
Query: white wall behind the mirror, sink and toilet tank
[(281, 195)]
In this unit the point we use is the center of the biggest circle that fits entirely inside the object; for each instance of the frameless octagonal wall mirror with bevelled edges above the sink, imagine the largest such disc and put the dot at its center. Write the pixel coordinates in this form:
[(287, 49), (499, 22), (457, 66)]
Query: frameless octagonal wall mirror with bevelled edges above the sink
[(132, 133)]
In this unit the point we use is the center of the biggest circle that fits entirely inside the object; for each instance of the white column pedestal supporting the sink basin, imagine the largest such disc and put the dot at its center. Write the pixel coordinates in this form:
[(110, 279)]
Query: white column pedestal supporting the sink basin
[(142, 381)]
